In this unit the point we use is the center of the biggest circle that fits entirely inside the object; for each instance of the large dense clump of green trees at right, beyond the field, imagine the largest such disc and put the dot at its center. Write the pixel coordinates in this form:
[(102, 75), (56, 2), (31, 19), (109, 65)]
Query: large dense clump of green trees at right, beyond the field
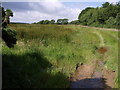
[(105, 16)]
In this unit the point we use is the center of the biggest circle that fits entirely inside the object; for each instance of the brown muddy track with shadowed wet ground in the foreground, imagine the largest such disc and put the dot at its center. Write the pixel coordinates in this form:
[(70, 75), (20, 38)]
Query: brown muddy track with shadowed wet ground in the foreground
[(93, 76)]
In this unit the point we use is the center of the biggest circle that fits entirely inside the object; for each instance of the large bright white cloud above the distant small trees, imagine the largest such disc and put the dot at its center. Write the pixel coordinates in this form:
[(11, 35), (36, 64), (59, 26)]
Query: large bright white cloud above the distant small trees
[(46, 10)]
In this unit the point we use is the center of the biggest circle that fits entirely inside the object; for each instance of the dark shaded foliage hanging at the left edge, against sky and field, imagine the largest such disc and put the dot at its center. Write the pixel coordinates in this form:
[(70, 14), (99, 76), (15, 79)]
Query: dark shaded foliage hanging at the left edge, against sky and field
[(8, 35)]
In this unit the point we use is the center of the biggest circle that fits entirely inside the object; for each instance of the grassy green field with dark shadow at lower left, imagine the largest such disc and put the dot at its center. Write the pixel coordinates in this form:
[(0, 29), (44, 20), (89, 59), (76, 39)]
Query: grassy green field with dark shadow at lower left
[(46, 55)]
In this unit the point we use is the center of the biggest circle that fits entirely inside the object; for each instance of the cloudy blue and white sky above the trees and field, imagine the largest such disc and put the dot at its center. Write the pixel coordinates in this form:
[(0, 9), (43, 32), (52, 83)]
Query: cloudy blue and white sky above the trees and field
[(30, 12)]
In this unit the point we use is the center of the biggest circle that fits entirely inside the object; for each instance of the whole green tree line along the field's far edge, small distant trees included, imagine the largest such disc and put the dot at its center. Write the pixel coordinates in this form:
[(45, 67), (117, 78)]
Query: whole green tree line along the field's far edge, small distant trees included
[(106, 16)]
